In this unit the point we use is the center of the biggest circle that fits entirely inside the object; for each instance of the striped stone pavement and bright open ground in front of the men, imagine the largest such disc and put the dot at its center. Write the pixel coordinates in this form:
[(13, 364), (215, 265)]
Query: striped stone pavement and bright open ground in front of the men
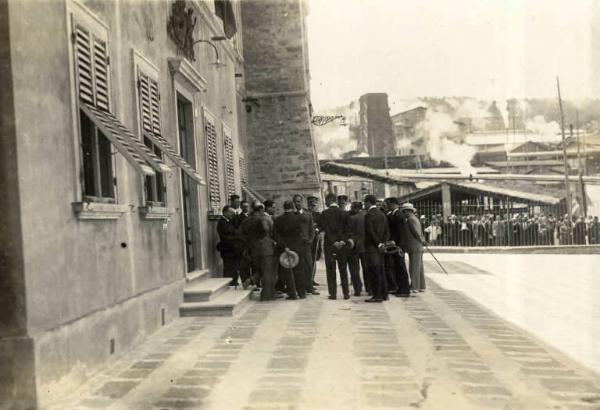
[(447, 348)]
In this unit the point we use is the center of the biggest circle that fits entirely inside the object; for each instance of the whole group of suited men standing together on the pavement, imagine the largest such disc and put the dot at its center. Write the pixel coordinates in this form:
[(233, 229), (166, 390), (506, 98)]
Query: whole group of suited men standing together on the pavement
[(277, 254)]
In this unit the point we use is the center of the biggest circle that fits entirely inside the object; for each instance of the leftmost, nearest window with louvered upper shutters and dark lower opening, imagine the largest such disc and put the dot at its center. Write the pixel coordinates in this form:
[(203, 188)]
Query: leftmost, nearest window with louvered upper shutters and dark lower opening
[(91, 61)]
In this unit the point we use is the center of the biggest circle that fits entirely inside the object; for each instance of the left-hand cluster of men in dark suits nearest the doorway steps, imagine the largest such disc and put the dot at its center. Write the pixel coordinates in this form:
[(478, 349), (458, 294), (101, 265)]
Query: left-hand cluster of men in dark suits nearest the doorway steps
[(252, 240)]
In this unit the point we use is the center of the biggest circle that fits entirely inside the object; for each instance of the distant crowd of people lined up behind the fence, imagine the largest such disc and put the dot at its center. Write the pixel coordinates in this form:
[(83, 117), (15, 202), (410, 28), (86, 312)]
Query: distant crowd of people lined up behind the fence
[(515, 230)]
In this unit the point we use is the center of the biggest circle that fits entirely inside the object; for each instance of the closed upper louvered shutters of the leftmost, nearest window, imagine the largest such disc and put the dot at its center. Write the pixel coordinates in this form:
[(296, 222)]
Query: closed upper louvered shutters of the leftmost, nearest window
[(93, 75)]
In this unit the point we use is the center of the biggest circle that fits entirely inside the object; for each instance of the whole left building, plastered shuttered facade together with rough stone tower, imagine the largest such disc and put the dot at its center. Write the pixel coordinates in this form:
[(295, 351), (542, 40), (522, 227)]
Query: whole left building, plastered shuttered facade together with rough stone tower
[(118, 148)]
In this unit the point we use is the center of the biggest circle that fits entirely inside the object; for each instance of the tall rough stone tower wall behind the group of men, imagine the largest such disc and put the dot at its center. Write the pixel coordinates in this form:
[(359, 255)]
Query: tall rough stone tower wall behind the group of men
[(282, 157)]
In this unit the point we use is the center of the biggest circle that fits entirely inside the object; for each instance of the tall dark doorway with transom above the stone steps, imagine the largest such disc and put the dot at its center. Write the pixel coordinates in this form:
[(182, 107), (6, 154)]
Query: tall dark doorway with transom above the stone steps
[(189, 189)]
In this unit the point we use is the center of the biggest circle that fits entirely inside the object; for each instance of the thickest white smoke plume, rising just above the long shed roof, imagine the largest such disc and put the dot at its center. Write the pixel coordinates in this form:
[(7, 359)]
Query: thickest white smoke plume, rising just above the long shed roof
[(439, 129)]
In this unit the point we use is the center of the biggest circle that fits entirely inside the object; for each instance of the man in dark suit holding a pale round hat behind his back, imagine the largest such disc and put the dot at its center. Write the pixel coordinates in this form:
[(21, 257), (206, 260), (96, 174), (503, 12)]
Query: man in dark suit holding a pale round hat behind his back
[(287, 233)]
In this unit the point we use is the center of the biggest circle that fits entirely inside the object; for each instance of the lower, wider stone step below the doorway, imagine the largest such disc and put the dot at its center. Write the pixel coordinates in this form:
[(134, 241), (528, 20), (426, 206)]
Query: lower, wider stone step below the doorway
[(225, 304)]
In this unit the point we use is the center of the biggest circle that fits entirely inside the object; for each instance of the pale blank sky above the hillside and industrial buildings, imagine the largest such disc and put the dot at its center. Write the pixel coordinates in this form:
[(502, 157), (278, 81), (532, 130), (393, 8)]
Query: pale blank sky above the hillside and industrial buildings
[(489, 49)]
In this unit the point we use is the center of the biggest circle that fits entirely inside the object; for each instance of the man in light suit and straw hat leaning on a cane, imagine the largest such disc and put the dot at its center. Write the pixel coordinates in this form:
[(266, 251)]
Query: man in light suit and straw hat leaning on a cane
[(413, 245)]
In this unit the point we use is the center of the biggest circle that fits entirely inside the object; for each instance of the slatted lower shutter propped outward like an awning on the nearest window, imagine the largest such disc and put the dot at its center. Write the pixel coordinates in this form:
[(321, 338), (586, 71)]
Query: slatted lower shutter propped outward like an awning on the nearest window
[(138, 155)]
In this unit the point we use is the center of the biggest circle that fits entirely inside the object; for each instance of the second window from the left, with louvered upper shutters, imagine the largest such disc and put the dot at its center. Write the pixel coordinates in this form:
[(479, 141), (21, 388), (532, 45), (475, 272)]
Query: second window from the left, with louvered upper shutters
[(149, 105)]
